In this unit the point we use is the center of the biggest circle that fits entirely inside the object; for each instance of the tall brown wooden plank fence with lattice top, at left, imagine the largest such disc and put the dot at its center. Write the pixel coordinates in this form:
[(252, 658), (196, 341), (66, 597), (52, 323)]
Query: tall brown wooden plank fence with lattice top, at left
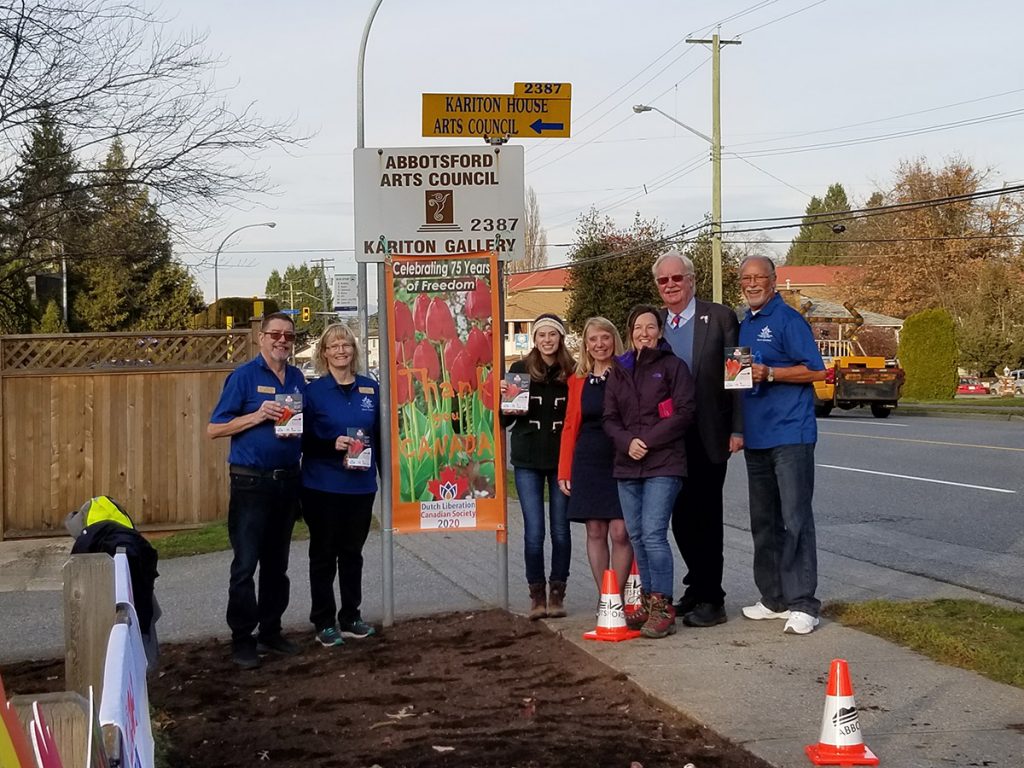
[(119, 414)]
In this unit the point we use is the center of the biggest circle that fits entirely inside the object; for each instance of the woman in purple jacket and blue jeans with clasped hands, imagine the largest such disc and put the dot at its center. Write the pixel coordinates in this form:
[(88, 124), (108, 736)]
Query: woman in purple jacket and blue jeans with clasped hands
[(649, 405)]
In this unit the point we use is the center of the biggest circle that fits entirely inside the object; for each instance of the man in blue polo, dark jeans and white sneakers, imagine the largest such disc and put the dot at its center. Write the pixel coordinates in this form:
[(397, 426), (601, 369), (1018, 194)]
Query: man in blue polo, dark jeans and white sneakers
[(780, 435)]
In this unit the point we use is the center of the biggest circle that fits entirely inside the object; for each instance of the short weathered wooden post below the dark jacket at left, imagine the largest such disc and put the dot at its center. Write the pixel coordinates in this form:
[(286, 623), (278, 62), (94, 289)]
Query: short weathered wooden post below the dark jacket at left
[(90, 614)]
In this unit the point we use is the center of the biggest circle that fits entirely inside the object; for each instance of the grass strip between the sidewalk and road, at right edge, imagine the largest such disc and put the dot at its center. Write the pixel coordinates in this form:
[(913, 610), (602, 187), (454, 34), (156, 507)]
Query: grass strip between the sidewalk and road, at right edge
[(967, 634)]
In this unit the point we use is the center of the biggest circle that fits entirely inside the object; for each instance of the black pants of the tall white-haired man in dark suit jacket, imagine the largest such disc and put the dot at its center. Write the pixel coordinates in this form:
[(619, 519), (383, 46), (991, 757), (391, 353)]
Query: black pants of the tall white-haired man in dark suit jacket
[(697, 525)]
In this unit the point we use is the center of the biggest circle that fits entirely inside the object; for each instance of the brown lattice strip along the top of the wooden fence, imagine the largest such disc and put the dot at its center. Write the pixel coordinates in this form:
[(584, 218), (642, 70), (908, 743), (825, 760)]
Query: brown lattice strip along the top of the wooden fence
[(155, 351)]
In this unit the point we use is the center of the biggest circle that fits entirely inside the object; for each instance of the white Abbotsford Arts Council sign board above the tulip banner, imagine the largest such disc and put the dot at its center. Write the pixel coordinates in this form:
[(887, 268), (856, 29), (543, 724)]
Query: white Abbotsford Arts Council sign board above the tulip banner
[(436, 201)]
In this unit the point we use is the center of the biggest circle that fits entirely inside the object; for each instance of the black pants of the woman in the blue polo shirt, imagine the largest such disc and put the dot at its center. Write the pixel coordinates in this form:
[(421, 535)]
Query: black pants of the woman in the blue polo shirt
[(339, 525)]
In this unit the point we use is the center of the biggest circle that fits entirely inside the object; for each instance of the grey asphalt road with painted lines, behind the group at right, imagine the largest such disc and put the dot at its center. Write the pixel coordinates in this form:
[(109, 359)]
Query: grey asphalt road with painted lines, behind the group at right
[(936, 497)]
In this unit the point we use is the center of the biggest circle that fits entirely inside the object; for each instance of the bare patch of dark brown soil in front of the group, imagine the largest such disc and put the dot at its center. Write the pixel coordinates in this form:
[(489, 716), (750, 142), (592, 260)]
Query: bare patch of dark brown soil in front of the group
[(488, 691)]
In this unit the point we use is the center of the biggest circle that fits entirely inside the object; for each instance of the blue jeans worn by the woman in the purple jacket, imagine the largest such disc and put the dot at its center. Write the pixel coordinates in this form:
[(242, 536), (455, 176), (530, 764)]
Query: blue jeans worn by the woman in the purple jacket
[(648, 508)]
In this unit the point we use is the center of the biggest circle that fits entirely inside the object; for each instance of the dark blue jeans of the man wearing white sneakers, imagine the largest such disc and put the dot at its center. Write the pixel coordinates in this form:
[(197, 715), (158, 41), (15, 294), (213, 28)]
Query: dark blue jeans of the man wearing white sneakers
[(781, 484)]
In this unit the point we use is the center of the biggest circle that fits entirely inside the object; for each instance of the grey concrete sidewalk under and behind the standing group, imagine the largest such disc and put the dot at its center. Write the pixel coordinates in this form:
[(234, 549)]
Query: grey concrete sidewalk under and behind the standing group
[(744, 679)]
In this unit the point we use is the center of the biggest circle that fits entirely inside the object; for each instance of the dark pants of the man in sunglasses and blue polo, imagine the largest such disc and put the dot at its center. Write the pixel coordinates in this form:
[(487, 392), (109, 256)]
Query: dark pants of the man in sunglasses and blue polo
[(261, 518)]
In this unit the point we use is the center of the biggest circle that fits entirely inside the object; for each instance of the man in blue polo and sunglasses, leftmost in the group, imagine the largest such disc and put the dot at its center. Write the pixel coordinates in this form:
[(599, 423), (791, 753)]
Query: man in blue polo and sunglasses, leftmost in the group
[(266, 487)]
